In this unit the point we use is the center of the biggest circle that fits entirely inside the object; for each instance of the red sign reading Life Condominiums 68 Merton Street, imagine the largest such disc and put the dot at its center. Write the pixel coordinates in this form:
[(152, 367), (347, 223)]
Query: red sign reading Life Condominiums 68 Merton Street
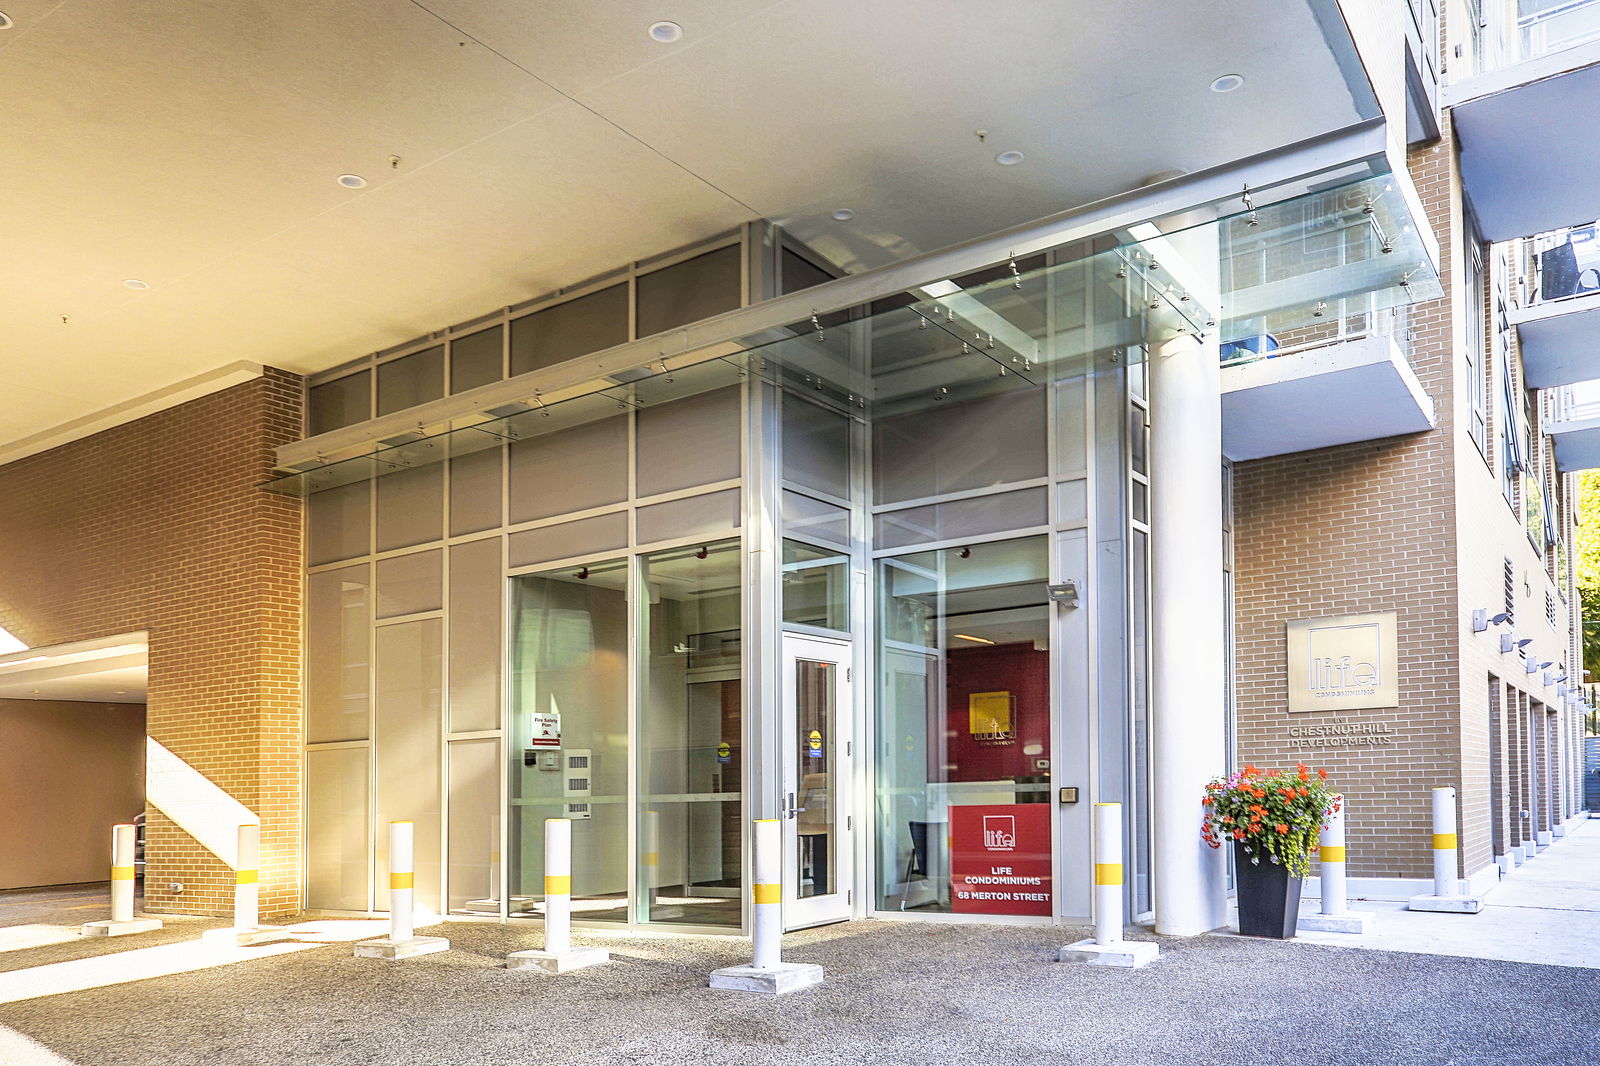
[(1001, 860)]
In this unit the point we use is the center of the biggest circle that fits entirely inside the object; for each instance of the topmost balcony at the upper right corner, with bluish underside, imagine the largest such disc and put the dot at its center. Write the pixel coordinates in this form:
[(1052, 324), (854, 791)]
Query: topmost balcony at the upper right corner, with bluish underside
[(1526, 166)]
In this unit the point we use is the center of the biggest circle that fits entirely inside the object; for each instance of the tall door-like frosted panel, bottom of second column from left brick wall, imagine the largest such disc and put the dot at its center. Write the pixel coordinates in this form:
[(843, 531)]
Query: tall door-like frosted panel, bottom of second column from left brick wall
[(407, 726)]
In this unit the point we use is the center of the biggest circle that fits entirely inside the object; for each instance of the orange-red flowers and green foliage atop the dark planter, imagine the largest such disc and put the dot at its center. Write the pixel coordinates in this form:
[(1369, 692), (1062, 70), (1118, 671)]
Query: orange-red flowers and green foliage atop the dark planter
[(1270, 814)]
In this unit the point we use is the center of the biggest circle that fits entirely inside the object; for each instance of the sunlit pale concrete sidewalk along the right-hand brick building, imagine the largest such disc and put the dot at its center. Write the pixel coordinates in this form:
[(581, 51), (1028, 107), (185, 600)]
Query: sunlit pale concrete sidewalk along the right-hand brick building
[(1546, 912)]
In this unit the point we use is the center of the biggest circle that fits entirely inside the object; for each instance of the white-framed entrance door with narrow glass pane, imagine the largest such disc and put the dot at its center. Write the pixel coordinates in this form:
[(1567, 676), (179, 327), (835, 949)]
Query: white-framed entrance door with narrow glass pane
[(817, 774)]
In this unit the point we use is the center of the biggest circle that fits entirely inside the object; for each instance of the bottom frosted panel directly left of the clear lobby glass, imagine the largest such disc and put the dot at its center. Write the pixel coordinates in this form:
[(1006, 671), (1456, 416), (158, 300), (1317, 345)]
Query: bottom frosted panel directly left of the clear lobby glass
[(474, 827)]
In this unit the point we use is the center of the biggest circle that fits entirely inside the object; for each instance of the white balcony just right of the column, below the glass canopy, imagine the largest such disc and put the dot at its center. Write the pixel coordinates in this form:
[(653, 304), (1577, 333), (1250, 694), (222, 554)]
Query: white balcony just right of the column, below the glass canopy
[(1322, 387)]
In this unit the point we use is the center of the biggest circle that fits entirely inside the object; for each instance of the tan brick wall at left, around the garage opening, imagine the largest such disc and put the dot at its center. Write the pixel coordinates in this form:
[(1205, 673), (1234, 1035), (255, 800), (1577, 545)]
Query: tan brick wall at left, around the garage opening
[(161, 526)]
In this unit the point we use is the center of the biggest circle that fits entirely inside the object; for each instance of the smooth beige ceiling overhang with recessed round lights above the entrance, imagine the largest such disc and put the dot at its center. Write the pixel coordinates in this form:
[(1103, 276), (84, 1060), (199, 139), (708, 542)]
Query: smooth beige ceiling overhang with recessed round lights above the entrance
[(196, 148)]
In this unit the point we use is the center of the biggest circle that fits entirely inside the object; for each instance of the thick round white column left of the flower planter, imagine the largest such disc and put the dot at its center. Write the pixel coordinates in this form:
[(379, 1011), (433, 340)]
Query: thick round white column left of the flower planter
[(1188, 646)]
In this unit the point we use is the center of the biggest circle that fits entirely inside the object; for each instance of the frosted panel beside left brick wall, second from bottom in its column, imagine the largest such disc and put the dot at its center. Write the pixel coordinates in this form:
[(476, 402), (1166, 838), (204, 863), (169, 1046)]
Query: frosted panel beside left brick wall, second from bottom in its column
[(337, 665)]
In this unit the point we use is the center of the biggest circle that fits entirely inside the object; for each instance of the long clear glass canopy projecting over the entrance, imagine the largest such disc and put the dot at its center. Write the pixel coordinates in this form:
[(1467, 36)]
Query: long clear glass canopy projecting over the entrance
[(1015, 326)]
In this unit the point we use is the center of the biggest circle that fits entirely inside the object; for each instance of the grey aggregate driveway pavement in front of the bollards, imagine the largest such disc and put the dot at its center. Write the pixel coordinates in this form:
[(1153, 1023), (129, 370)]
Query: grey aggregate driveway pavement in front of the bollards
[(897, 993)]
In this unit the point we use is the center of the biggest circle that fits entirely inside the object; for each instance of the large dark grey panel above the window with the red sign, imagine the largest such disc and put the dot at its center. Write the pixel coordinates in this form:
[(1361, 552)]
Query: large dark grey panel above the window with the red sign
[(958, 447)]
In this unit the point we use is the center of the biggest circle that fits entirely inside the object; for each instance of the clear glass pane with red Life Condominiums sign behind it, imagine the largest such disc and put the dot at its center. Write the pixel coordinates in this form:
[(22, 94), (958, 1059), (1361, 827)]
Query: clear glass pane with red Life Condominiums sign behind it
[(964, 711)]
